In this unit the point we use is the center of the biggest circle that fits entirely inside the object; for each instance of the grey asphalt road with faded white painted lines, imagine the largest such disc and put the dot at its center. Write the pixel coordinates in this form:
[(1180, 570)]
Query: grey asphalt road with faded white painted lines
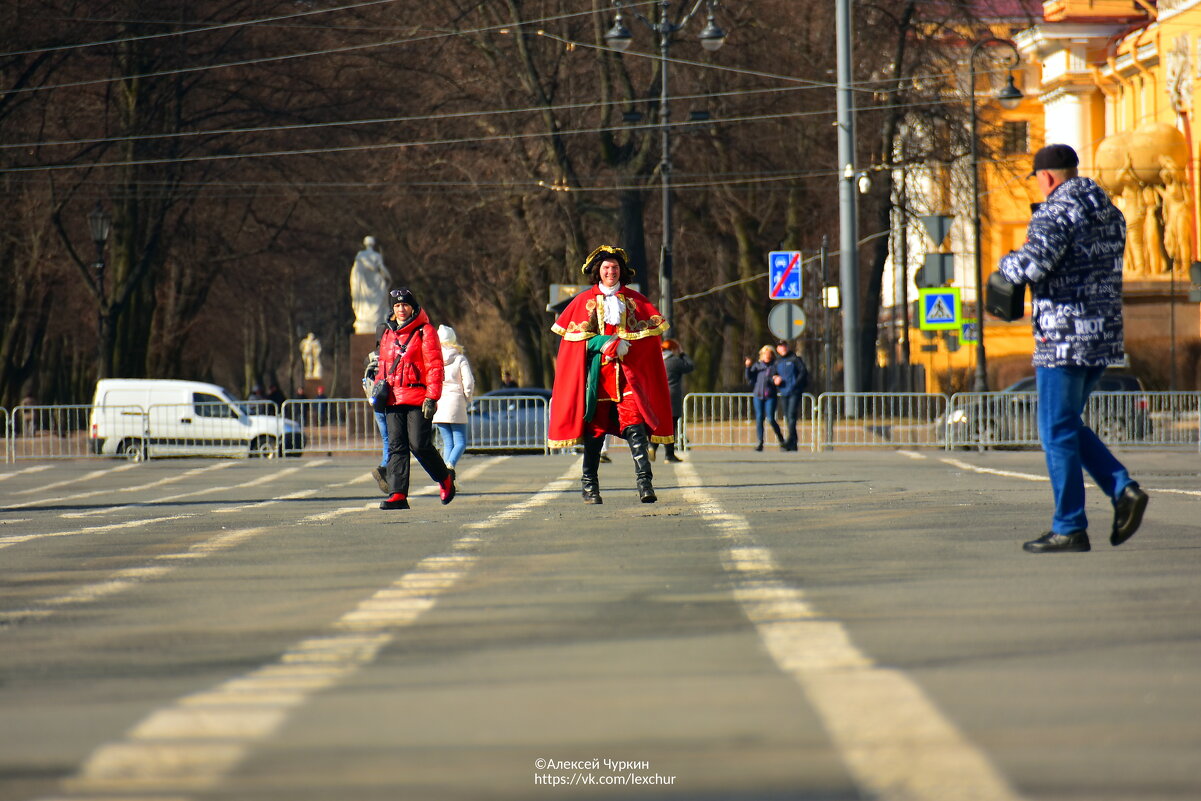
[(836, 626)]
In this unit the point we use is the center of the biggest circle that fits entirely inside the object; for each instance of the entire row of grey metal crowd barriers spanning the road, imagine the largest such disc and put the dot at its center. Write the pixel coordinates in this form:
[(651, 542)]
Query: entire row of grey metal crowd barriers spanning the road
[(521, 423)]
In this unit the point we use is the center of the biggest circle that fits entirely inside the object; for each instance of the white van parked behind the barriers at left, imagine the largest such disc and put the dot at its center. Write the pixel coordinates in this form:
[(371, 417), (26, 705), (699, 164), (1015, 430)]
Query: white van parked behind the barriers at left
[(144, 419)]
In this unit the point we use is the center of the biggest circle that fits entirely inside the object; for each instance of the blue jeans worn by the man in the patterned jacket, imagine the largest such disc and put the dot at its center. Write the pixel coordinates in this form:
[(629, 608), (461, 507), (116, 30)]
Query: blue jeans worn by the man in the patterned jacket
[(1071, 446)]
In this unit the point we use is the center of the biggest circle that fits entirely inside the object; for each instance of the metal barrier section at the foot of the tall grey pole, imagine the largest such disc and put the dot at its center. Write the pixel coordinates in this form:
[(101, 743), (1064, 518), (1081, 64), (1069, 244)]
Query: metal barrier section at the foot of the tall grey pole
[(880, 420)]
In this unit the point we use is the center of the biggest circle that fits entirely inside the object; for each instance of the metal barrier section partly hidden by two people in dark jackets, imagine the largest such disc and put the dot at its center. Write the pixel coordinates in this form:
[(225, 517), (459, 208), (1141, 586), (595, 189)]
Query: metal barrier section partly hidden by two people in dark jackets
[(727, 420)]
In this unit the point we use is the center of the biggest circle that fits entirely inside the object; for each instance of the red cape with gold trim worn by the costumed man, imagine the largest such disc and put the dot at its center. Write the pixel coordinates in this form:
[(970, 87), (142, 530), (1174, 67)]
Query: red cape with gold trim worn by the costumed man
[(643, 327)]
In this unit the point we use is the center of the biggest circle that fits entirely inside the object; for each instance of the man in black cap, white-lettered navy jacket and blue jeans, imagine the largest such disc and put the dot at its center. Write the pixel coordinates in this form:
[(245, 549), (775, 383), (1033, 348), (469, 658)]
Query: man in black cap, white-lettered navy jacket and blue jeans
[(1073, 262)]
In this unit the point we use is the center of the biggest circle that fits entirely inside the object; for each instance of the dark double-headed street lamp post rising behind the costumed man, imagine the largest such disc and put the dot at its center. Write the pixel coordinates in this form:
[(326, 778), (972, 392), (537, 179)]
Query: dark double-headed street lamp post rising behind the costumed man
[(712, 39)]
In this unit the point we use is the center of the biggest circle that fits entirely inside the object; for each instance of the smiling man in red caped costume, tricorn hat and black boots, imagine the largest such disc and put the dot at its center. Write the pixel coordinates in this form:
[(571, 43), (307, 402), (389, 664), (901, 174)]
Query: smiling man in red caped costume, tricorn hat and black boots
[(610, 378)]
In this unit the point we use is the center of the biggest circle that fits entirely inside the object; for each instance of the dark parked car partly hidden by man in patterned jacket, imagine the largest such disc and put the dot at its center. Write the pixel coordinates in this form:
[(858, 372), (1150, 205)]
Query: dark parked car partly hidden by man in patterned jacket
[(1119, 413)]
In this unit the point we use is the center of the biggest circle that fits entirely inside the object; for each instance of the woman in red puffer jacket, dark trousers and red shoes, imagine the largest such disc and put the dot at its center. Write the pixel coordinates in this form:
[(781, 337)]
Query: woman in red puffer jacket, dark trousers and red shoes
[(411, 363)]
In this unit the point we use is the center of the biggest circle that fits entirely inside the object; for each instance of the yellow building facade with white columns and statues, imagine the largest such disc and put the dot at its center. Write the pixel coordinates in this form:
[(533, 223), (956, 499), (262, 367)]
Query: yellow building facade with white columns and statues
[(1120, 82)]
